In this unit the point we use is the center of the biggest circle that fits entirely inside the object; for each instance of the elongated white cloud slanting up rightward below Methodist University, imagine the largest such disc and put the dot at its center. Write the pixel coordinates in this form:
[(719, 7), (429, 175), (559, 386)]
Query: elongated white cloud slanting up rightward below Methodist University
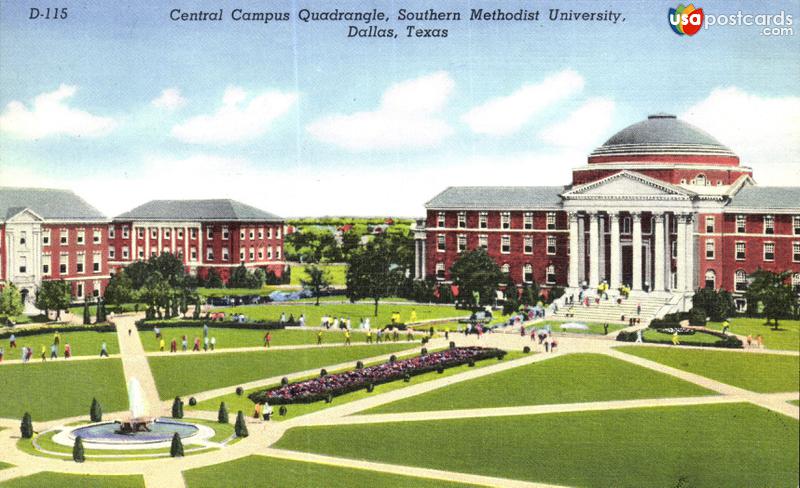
[(506, 115)]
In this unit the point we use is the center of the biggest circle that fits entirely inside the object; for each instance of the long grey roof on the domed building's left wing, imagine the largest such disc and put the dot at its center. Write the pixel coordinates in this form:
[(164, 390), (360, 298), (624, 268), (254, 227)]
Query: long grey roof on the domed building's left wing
[(498, 197)]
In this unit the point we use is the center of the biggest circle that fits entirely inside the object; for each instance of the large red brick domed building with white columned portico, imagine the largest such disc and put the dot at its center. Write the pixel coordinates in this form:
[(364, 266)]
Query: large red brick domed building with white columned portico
[(662, 207)]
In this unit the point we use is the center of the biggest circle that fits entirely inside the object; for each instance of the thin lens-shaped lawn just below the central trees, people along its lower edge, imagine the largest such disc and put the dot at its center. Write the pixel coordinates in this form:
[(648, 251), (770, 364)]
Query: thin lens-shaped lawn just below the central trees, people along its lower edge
[(354, 311)]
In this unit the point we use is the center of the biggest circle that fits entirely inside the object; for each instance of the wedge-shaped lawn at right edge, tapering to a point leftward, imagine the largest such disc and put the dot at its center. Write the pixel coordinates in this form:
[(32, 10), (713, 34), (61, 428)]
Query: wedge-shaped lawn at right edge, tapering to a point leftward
[(764, 373)]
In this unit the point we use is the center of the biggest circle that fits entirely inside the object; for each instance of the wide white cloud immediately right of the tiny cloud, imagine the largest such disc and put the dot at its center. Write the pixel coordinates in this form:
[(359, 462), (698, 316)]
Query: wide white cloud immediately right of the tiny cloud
[(237, 119)]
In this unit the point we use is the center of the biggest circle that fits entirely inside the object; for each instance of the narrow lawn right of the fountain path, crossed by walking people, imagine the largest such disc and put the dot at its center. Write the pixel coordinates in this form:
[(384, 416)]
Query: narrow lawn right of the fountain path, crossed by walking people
[(232, 338)]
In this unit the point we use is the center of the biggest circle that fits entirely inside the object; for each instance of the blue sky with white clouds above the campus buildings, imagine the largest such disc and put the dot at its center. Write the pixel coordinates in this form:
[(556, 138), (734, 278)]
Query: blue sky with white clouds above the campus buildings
[(123, 105)]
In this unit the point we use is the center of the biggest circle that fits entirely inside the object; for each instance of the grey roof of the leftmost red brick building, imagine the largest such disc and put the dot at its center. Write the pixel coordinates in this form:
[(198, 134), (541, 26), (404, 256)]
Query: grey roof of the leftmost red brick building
[(47, 203)]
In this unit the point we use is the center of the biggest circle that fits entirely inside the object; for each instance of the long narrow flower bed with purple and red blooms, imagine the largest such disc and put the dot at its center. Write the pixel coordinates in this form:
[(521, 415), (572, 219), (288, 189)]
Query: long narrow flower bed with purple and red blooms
[(338, 384)]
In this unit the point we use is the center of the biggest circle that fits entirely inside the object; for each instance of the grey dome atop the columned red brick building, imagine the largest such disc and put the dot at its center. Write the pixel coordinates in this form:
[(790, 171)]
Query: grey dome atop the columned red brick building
[(662, 134)]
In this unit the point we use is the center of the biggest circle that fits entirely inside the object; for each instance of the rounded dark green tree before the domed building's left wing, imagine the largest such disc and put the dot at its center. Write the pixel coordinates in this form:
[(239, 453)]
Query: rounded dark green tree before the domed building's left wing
[(476, 274)]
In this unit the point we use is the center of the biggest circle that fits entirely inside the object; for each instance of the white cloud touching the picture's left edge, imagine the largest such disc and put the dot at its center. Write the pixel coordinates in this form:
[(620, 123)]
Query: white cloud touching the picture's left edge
[(50, 115)]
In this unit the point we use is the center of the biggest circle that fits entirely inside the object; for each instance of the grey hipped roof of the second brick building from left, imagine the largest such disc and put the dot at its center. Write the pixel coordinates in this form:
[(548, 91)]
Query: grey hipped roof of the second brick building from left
[(203, 210)]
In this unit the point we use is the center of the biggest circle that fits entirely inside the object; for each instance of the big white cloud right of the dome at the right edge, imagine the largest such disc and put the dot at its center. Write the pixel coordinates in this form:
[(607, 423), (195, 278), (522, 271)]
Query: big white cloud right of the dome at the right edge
[(763, 131)]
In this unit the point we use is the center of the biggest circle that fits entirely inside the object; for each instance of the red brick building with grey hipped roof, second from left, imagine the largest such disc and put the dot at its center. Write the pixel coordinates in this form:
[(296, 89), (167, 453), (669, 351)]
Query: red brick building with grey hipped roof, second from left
[(206, 234)]
